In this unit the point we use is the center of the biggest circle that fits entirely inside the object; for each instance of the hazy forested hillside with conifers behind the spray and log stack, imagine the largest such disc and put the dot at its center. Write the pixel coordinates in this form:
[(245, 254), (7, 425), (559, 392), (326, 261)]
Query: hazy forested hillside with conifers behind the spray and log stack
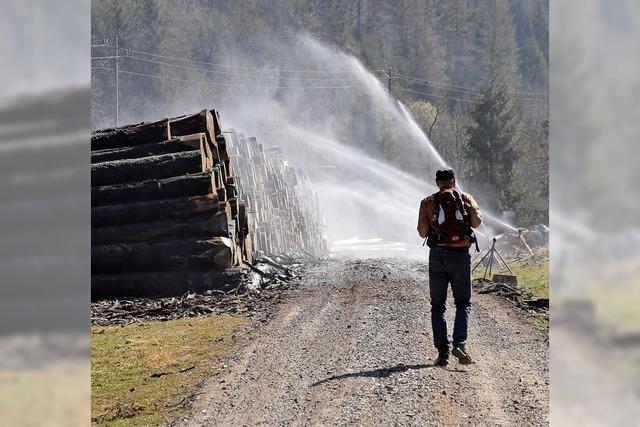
[(472, 72)]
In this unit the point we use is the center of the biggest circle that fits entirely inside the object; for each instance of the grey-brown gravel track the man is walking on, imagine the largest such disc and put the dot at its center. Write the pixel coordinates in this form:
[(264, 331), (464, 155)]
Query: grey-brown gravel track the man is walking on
[(351, 345)]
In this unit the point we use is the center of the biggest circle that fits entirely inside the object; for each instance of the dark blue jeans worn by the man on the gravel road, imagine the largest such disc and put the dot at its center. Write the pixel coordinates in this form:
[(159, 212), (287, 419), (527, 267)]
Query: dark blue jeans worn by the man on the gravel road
[(449, 266)]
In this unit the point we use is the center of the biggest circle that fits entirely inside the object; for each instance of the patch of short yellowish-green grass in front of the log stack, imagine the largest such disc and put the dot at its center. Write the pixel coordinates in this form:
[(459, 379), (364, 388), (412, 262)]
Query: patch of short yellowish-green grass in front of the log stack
[(123, 360)]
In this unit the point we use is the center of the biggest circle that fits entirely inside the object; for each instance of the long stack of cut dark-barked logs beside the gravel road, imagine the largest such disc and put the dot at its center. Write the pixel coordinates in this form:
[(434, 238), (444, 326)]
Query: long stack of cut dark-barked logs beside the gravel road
[(167, 212)]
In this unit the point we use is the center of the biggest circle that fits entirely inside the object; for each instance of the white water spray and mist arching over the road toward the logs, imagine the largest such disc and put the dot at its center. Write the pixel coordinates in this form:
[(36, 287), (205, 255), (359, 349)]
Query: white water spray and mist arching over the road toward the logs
[(330, 127)]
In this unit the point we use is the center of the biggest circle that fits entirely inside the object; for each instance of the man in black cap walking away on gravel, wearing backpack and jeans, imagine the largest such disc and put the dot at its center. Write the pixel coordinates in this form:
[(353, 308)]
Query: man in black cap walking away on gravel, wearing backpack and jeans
[(446, 220)]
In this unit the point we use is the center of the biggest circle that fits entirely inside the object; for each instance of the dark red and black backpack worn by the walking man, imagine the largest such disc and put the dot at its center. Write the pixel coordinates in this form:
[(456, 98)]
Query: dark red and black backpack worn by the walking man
[(450, 221)]
